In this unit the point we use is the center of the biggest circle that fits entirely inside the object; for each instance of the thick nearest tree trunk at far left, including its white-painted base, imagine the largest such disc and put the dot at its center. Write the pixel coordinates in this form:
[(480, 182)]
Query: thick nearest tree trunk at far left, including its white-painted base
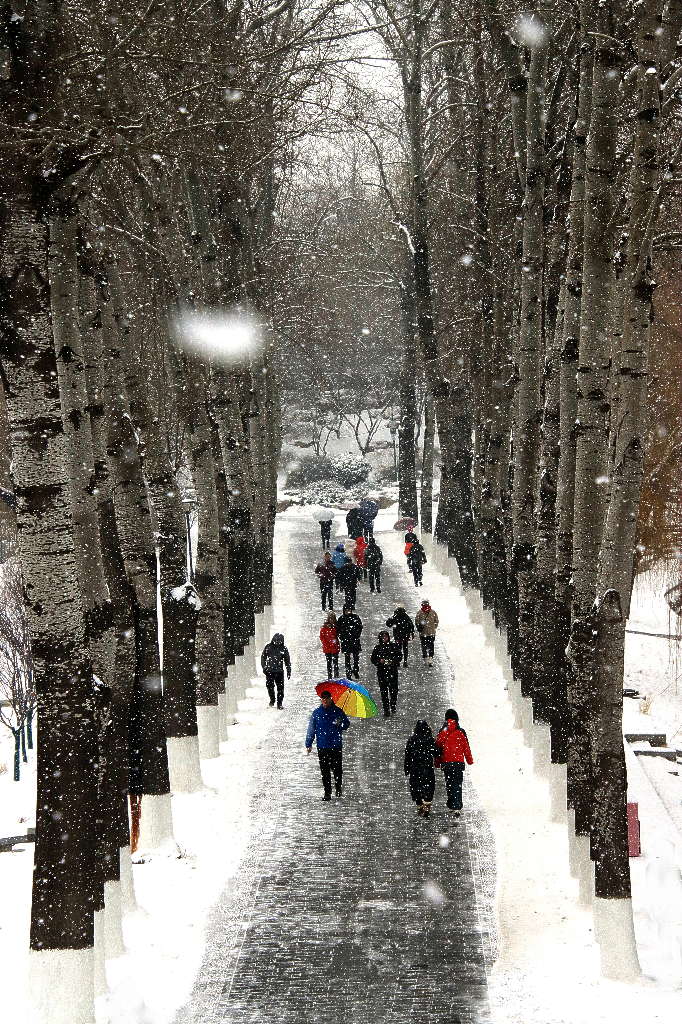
[(62, 918)]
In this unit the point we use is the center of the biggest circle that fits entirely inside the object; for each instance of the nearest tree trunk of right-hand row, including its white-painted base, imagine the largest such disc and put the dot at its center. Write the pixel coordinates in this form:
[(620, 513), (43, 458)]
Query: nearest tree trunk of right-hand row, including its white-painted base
[(627, 453)]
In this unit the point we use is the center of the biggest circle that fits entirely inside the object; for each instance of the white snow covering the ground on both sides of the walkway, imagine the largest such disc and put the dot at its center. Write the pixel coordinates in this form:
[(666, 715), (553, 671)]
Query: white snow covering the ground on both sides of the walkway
[(547, 971)]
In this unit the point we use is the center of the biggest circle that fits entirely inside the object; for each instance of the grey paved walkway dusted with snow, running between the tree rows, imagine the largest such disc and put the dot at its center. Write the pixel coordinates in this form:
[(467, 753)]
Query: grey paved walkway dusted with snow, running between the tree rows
[(355, 911)]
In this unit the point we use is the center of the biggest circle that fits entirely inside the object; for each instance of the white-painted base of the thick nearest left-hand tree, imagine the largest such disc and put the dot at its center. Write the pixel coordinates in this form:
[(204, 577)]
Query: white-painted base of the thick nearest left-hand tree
[(62, 986)]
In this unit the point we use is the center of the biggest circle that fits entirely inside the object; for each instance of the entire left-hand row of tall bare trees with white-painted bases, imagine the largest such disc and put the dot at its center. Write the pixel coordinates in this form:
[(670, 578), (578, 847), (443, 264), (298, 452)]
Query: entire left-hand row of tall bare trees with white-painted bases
[(140, 178)]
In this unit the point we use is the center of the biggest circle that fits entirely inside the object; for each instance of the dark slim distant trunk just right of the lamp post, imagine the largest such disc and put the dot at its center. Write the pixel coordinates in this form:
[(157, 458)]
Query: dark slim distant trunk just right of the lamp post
[(408, 504)]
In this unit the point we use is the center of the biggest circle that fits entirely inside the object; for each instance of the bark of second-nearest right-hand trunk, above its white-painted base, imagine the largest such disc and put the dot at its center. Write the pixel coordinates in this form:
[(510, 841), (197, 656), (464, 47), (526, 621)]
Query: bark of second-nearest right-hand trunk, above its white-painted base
[(593, 382)]
